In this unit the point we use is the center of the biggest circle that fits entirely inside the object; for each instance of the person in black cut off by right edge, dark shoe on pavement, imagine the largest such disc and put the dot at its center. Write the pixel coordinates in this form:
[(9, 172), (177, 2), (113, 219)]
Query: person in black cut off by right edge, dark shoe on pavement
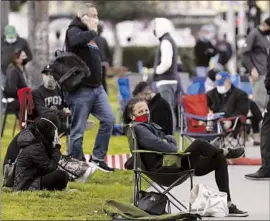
[(264, 172)]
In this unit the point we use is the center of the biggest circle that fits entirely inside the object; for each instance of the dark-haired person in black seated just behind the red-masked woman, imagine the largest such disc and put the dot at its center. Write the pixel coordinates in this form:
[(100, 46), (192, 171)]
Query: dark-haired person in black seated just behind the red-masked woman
[(160, 110)]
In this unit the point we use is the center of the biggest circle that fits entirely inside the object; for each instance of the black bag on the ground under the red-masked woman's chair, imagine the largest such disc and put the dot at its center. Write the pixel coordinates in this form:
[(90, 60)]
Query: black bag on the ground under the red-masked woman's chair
[(152, 202)]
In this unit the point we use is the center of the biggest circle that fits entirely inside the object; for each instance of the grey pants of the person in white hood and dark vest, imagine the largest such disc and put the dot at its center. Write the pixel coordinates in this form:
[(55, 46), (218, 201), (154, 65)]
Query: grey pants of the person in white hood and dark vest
[(168, 92)]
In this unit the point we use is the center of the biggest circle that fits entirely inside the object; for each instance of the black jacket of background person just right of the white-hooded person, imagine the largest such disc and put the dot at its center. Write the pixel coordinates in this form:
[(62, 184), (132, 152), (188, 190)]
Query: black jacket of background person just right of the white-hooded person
[(203, 51)]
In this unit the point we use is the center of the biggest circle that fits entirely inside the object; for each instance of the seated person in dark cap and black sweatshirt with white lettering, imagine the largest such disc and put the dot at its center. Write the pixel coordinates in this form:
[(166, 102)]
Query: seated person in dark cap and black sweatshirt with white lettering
[(47, 97)]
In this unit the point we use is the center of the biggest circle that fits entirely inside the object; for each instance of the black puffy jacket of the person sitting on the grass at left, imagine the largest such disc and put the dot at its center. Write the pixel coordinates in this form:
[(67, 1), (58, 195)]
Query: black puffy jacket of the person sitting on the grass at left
[(37, 159)]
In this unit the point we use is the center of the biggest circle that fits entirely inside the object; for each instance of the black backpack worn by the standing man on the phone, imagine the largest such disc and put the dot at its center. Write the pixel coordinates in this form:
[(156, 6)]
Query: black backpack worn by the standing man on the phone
[(69, 70)]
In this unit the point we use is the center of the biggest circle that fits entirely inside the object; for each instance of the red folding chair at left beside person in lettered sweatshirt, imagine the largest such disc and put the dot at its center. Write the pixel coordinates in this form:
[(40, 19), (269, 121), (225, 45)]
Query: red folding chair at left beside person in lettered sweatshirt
[(26, 107)]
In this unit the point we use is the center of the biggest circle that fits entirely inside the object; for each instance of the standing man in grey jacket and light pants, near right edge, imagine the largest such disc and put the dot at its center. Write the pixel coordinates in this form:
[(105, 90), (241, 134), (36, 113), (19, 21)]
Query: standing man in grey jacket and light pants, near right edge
[(254, 59)]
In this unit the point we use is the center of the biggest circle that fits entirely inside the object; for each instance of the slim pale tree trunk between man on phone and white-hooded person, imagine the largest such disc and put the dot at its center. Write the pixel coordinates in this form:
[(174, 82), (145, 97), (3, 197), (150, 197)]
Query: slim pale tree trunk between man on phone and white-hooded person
[(118, 51)]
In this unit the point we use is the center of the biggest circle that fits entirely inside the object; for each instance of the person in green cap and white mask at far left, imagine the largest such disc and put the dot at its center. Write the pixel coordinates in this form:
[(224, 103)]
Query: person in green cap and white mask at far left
[(9, 44)]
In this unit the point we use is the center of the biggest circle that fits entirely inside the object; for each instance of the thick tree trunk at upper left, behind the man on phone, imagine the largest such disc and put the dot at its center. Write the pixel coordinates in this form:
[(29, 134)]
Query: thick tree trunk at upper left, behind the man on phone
[(38, 29)]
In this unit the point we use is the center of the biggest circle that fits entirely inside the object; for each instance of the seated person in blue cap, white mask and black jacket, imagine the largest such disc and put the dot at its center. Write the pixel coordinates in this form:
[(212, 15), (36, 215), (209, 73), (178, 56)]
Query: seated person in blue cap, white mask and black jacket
[(227, 98)]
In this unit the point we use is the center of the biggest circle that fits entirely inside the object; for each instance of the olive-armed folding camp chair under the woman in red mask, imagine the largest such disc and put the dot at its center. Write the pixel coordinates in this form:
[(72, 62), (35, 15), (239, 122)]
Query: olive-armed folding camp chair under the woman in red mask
[(169, 180)]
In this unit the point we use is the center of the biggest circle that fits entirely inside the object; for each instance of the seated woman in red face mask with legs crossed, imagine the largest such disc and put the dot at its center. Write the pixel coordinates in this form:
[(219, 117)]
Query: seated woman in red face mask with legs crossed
[(204, 157)]
